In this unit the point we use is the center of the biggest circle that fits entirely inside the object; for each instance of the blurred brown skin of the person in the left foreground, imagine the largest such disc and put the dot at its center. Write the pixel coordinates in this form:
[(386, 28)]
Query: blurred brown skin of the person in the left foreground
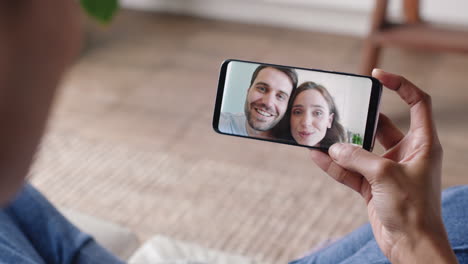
[(38, 41)]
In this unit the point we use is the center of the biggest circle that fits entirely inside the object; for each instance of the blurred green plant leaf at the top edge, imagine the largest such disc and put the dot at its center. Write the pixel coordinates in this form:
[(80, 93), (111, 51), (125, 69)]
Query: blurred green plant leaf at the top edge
[(102, 10)]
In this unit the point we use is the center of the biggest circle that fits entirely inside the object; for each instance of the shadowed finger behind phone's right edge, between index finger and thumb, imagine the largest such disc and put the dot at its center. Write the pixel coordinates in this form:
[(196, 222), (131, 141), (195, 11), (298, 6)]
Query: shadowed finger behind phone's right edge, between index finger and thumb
[(388, 134)]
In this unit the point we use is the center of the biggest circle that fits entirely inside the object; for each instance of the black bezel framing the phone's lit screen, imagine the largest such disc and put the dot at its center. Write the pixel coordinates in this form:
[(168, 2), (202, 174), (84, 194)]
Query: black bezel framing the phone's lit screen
[(372, 115)]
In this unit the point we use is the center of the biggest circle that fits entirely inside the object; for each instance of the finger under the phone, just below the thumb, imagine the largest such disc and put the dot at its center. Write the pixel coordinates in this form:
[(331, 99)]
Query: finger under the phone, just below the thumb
[(348, 178)]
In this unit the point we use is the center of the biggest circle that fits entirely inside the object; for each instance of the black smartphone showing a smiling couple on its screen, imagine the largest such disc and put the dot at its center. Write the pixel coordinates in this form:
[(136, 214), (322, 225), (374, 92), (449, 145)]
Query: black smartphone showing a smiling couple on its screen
[(296, 106)]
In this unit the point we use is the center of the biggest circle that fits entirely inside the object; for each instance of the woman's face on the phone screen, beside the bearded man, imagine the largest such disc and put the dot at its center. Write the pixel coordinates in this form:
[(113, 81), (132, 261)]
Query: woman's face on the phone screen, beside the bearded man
[(310, 118)]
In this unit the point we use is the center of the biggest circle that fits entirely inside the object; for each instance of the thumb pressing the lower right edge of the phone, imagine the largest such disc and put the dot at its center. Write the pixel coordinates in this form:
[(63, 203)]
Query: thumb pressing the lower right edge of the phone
[(359, 160)]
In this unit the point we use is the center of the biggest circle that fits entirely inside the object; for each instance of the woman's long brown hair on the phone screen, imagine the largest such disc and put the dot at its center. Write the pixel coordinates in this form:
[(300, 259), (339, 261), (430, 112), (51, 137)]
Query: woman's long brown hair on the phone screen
[(335, 133)]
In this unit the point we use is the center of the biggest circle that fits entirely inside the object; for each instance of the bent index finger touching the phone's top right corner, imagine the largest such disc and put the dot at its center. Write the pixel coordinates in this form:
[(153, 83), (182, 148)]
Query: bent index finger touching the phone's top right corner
[(419, 101)]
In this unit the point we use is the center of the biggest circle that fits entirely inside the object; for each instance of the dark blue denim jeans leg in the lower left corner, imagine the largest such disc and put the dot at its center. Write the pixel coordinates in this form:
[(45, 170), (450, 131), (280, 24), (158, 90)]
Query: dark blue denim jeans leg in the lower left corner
[(33, 231)]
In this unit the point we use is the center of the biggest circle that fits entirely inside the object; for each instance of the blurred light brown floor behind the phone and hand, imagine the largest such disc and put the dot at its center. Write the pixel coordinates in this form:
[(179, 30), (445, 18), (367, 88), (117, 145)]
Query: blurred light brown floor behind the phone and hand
[(130, 138)]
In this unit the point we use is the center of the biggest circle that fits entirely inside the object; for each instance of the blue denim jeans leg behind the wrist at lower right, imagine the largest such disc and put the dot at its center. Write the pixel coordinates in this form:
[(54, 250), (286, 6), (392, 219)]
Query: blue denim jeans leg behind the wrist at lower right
[(361, 247)]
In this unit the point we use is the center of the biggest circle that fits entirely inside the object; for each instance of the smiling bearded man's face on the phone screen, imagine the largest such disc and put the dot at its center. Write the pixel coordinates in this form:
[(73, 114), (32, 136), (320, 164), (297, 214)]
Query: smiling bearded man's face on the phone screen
[(267, 99)]
